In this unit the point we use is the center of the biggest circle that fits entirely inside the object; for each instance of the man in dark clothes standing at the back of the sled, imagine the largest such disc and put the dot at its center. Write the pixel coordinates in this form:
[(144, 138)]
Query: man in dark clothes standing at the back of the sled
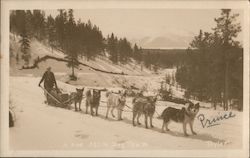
[(49, 82)]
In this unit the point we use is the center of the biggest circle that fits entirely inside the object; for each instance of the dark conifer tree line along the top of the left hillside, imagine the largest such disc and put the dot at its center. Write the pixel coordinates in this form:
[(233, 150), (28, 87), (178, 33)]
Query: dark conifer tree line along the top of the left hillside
[(76, 39)]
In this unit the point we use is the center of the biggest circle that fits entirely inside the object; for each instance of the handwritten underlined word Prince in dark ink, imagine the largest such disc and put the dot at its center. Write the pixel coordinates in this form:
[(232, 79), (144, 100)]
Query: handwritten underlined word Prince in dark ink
[(205, 122)]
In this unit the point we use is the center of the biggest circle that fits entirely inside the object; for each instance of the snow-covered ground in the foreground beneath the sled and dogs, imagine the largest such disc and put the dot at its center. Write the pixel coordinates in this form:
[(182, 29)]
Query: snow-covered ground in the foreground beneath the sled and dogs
[(42, 127)]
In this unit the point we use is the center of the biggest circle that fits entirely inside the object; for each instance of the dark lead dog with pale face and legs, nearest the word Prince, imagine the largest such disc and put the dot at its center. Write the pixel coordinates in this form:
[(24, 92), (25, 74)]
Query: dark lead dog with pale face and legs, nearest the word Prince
[(184, 116)]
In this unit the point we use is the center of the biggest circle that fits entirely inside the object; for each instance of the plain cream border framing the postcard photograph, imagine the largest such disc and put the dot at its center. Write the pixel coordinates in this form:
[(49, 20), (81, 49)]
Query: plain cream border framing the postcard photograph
[(97, 4)]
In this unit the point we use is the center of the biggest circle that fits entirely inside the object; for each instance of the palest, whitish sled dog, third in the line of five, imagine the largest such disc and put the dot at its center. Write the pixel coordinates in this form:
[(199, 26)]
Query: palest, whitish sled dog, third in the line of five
[(116, 101)]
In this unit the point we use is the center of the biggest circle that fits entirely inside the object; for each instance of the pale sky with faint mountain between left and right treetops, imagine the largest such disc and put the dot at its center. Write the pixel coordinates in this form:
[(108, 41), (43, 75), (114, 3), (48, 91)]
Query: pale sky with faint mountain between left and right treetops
[(144, 26)]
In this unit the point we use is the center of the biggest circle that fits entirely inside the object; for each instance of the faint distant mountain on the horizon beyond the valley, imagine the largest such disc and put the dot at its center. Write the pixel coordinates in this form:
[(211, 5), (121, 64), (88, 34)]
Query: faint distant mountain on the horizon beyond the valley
[(164, 42)]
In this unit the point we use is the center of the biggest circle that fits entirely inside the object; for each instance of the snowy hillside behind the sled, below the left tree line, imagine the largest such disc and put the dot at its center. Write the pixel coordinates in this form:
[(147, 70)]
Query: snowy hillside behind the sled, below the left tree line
[(86, 76)]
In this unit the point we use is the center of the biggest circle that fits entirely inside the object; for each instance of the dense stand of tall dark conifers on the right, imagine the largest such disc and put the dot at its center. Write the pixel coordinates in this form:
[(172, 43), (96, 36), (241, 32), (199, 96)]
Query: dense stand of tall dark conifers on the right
[(213, 70)]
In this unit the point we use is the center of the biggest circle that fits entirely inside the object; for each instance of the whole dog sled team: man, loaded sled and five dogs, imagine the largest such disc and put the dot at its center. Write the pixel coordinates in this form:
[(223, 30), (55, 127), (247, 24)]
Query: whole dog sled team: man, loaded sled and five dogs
[(142, 105)]
